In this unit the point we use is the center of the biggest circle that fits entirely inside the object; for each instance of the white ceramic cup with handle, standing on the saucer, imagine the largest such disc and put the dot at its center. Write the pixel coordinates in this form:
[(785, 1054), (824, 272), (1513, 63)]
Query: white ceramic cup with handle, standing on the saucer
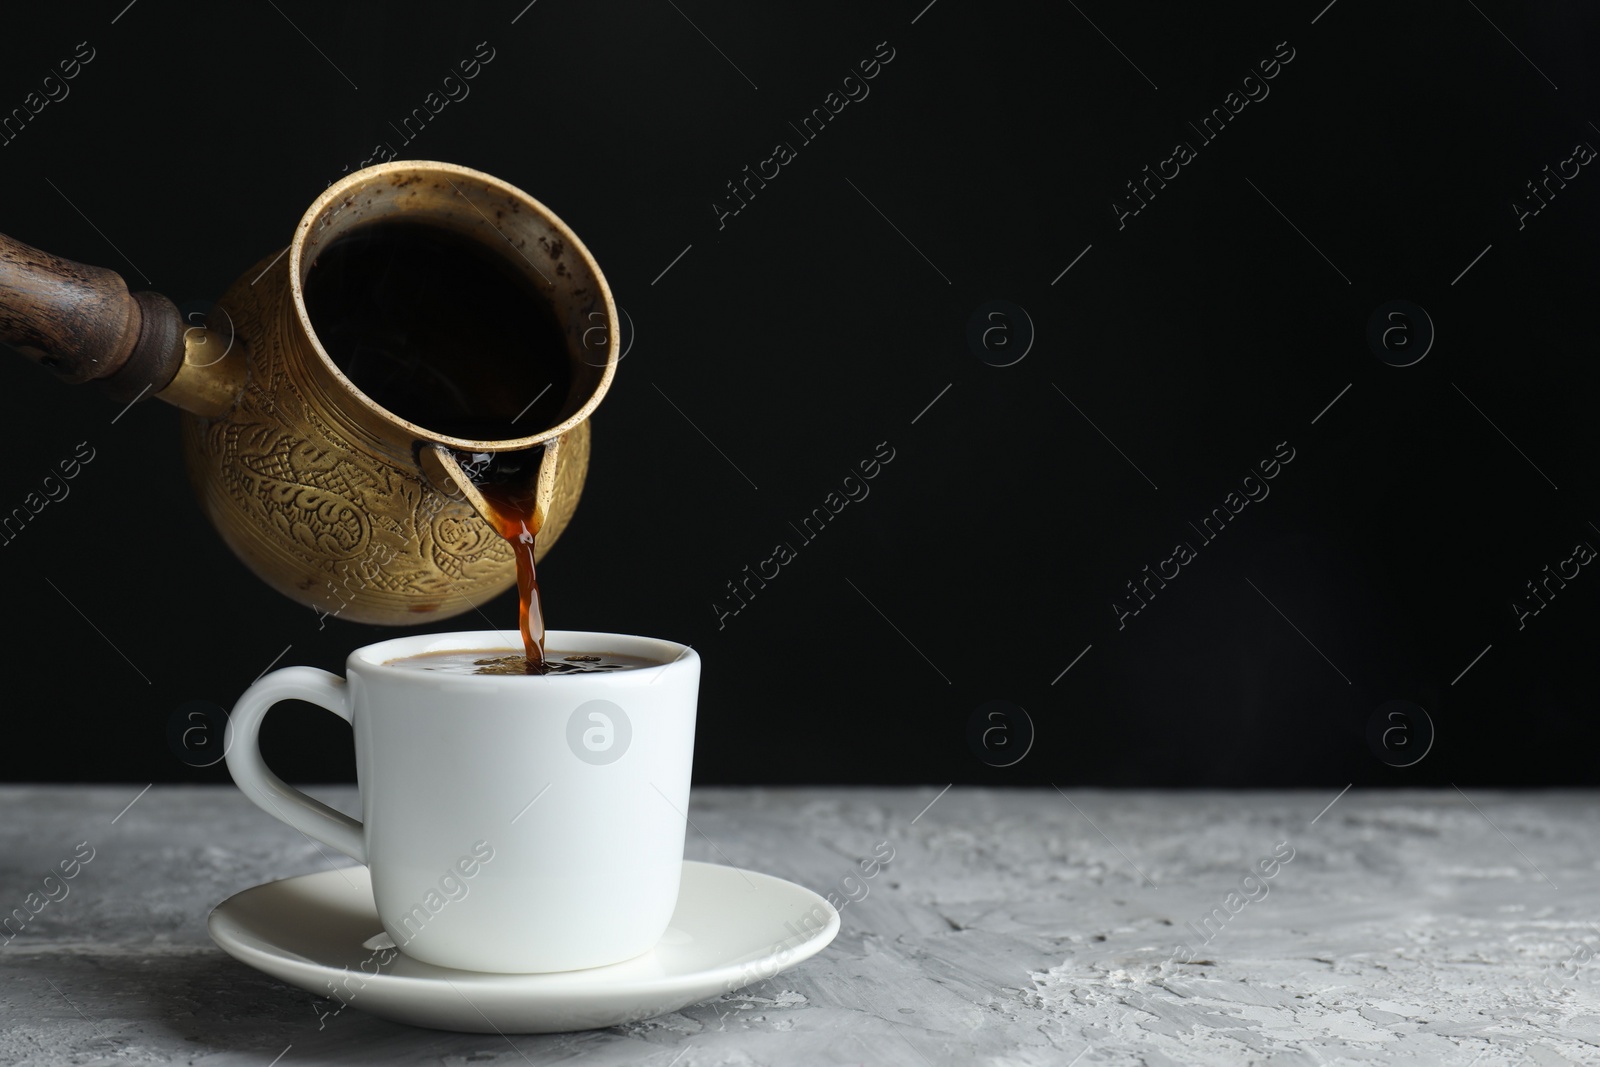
[(511, 825)]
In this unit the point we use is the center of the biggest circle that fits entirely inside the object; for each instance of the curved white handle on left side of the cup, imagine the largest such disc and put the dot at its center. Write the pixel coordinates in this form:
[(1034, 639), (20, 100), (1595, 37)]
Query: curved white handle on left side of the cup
[(266, 789)]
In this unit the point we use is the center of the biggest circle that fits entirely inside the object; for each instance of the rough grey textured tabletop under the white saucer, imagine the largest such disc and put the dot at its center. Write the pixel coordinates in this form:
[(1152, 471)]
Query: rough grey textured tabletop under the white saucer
[(1010, 930)]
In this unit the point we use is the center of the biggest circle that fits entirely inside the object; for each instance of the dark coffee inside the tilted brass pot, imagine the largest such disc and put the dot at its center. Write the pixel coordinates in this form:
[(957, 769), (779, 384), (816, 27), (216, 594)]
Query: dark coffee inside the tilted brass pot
[(441, 330)]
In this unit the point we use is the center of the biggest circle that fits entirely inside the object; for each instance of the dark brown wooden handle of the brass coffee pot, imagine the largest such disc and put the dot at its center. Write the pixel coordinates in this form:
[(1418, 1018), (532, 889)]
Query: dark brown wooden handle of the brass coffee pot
[(84, 326)]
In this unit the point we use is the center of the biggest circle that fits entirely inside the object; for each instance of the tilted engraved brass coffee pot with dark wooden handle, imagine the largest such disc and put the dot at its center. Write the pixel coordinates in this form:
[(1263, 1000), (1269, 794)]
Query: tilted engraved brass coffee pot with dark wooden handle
[(327, 497)]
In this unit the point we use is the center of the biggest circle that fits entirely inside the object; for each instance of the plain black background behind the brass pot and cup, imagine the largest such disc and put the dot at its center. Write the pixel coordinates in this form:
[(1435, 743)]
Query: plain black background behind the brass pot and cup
[(823, 321)]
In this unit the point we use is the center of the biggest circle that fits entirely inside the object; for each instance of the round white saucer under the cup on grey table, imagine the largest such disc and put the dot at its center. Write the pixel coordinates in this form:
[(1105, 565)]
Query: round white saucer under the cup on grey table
[(732, 929)]
